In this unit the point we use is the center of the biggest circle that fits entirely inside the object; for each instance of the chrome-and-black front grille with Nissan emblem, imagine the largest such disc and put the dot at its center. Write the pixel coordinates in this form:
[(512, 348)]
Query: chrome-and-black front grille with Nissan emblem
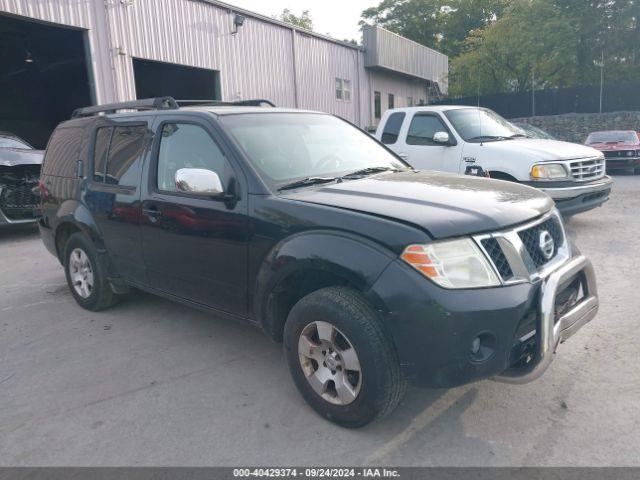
[(519, 254)]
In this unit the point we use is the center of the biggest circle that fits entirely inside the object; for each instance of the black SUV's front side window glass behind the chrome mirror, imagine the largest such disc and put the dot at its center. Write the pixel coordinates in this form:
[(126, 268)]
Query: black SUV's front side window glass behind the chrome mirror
[(184, 145)]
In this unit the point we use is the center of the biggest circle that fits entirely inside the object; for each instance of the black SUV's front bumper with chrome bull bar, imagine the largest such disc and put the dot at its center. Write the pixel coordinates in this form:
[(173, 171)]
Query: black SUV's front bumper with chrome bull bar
[(434, 328)]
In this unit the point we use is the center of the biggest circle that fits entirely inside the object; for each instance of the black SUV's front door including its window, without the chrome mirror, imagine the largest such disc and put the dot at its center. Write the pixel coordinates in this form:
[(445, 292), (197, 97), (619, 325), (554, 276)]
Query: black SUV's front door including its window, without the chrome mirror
[(194, 246)]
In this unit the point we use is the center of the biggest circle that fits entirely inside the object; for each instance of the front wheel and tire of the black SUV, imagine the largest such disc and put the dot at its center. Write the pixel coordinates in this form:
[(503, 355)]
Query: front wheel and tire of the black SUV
[(375, 390)]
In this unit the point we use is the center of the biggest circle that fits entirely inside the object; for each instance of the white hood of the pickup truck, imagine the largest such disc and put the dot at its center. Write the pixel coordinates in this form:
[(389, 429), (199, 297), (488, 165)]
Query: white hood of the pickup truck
[(540, 149)]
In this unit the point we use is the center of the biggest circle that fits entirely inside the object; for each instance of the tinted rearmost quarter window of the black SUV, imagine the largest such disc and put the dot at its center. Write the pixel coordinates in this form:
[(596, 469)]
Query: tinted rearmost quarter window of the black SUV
[(61, 157)]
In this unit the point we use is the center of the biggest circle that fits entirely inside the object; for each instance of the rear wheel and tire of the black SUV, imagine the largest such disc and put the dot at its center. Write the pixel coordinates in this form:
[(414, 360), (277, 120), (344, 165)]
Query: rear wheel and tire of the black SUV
[(86, 276)]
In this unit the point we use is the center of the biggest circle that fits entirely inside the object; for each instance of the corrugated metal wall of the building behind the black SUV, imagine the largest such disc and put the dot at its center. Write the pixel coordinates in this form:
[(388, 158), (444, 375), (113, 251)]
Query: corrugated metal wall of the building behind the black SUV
[(263, 60)]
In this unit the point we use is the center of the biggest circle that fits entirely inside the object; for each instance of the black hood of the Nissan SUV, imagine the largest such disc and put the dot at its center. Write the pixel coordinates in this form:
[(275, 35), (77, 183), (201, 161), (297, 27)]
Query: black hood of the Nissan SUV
[(442, 204)]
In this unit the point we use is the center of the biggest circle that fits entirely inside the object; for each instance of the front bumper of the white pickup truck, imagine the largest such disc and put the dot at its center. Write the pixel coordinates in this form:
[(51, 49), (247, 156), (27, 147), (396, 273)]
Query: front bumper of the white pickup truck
[(580, 198)]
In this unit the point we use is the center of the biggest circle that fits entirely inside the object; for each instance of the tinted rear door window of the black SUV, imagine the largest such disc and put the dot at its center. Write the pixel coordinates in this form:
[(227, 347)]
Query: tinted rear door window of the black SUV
[(125, 155)]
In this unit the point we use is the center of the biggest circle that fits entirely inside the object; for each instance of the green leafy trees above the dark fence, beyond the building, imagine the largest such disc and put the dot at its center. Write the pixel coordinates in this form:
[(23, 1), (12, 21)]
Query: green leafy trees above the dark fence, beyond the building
[(501, 46)]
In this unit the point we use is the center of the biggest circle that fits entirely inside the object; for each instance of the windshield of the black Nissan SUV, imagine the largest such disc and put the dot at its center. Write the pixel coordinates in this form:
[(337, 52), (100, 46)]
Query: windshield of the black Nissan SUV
[(285, 147)]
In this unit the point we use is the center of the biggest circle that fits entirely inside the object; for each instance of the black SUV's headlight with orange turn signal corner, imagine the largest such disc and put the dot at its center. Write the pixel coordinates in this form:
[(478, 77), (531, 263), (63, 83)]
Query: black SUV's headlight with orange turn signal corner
[(452, 264)]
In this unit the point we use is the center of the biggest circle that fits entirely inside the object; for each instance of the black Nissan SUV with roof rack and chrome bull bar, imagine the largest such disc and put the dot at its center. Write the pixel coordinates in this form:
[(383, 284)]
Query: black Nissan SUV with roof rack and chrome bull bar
[(372, 274)]
